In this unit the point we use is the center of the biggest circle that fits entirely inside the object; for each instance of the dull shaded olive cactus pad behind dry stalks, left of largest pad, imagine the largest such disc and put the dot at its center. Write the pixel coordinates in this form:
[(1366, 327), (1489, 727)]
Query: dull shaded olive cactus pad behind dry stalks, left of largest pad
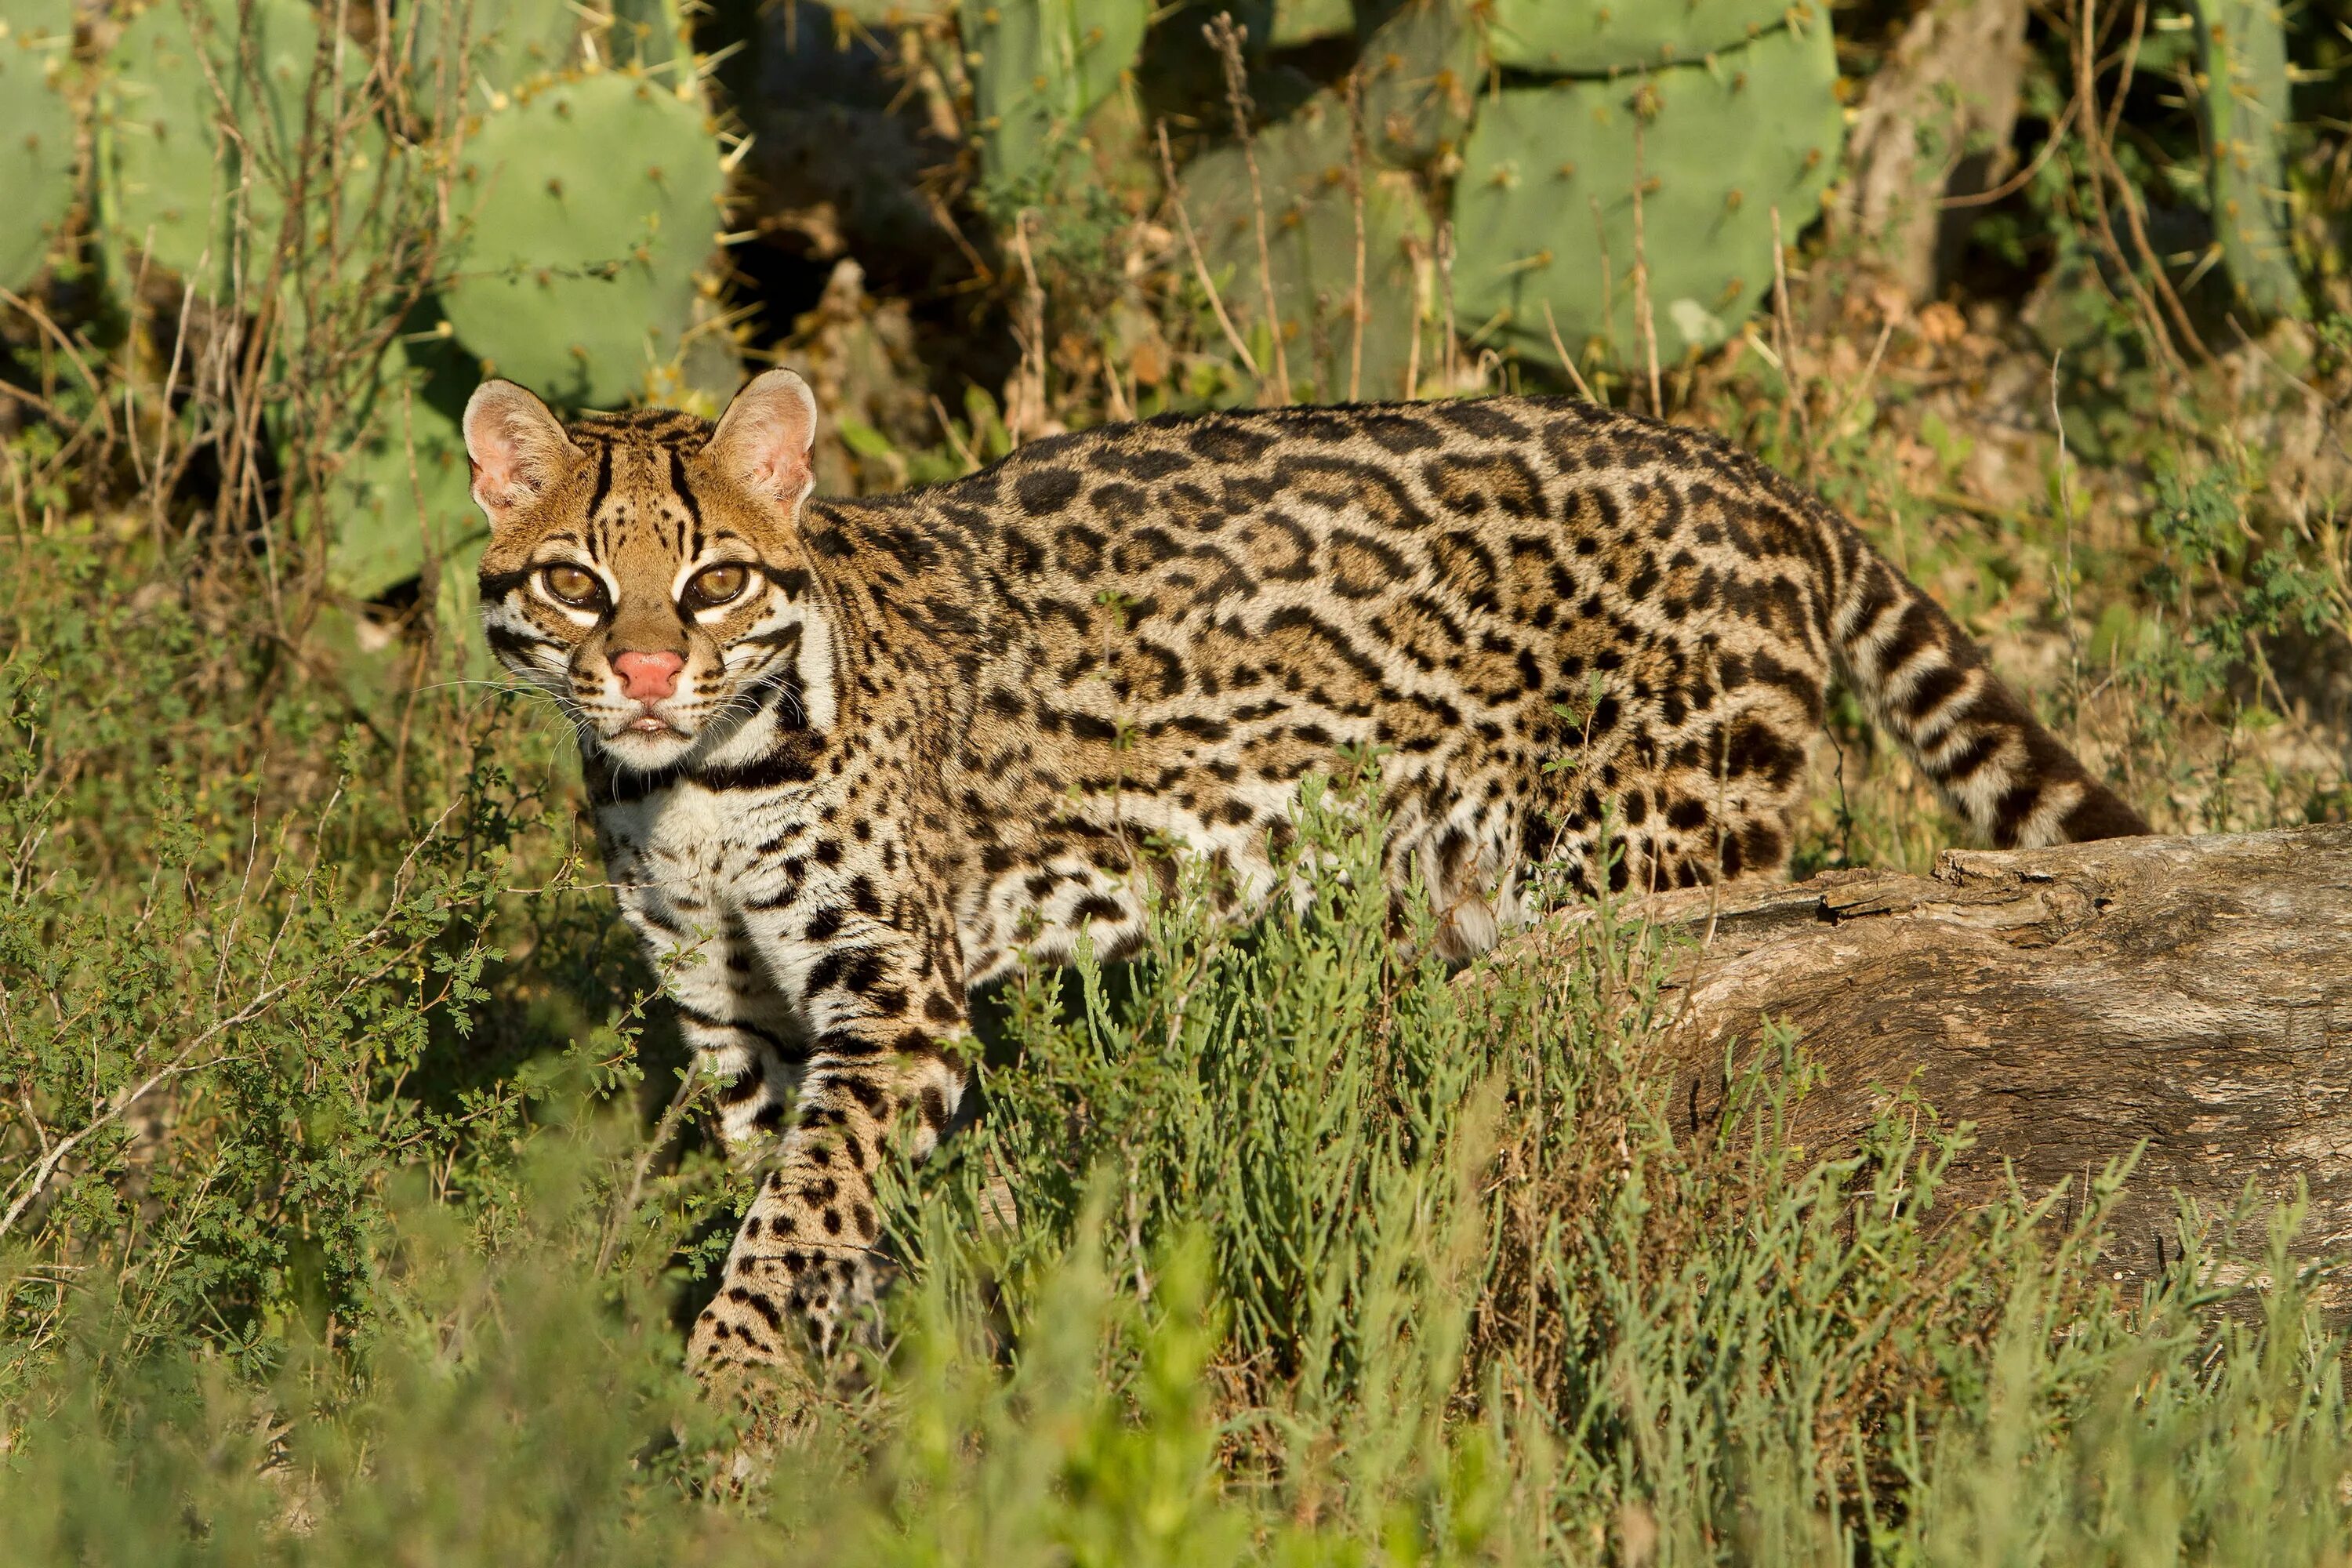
[(1311, 239)]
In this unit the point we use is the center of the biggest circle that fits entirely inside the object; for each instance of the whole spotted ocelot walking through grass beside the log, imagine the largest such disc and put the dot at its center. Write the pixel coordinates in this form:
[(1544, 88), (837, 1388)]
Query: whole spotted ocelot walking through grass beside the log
[(853, 758)]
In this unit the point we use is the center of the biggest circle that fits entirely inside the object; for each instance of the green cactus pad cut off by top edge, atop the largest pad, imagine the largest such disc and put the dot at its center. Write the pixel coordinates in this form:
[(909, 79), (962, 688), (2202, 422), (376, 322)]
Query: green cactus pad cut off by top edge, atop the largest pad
[(1605, 36)]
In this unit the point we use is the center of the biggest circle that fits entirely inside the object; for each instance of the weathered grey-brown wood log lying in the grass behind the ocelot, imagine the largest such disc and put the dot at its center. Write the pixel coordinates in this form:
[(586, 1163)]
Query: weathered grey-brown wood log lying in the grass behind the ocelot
[(2071, 1005)]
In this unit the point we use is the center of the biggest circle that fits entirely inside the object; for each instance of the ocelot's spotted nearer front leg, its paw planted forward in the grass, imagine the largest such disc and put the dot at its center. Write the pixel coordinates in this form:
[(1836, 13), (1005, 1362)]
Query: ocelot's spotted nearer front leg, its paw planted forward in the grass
[(886, 1012)]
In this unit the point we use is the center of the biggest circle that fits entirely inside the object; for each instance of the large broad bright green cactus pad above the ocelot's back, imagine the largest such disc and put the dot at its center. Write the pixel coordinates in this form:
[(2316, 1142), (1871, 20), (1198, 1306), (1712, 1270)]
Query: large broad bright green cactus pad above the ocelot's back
[(1544, 208)]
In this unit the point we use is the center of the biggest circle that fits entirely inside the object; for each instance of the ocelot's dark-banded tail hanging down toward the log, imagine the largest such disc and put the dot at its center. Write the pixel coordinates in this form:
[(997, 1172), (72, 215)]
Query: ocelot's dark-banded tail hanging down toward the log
[(1932, 690)]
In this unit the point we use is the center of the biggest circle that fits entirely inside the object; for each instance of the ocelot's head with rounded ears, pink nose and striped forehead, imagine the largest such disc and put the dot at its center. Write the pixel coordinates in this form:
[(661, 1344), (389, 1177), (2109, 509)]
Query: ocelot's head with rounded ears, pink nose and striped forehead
[(648, 570)]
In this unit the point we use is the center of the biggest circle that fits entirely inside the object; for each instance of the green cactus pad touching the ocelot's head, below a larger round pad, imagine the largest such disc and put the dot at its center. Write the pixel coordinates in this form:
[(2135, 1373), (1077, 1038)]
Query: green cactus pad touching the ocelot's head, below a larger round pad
[(401, 488)]
